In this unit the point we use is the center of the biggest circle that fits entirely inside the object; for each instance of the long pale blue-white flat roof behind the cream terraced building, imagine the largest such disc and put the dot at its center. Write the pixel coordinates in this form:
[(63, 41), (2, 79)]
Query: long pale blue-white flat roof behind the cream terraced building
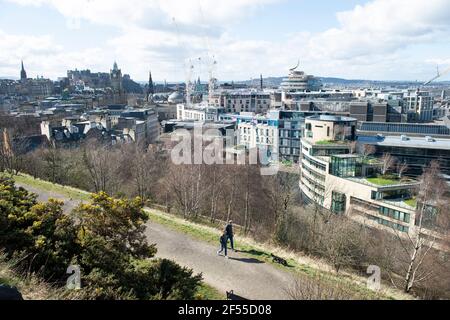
[(409, 142)]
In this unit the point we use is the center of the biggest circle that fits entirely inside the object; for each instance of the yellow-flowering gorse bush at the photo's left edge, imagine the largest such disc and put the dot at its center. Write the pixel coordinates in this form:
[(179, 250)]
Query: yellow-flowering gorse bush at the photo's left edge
[(40, 232)]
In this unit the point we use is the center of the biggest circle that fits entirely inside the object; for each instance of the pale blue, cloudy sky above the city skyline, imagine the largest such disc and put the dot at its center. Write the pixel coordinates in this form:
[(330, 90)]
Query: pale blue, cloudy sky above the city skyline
[(232, 40)]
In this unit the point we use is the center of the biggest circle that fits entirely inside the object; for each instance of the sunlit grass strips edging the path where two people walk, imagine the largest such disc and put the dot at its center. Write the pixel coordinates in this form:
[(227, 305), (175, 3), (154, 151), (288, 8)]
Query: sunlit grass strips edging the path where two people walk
[(205, 231)]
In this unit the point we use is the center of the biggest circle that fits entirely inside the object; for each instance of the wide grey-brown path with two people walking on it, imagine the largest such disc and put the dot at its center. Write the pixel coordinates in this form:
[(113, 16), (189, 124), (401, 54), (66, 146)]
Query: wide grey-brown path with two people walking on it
[(248, 277)]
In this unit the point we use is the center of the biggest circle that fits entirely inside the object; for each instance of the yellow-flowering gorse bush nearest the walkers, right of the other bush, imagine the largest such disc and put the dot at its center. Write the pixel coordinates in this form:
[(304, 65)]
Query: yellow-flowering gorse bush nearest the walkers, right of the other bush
[(114, 253)]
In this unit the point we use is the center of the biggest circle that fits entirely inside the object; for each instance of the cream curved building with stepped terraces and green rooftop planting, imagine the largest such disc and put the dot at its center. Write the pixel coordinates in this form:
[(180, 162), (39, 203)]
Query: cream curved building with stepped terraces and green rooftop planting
[(346, 183)]
